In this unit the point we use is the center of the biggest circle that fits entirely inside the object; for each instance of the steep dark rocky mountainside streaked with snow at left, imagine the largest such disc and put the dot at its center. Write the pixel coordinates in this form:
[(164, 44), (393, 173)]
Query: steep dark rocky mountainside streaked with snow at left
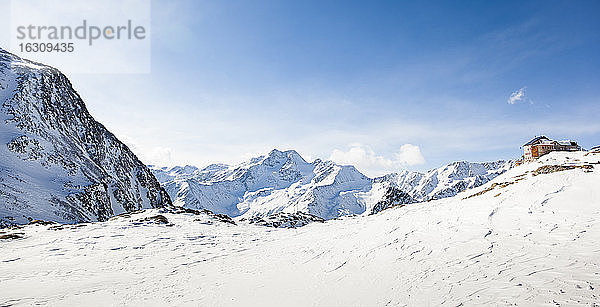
[(56, 162)]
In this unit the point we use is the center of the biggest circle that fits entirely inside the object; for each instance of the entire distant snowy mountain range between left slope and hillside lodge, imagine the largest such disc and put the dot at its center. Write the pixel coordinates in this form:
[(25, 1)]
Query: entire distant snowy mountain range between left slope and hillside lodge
[(285, 182)]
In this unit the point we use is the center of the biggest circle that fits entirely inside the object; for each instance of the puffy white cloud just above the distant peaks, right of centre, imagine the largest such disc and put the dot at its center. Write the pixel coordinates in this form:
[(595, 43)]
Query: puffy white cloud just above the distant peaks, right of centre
[(367, 161)]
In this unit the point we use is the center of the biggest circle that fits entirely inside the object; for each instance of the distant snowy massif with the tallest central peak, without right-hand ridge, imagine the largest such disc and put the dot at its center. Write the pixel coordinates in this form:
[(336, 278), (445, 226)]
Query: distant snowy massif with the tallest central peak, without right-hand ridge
[(281, 181)]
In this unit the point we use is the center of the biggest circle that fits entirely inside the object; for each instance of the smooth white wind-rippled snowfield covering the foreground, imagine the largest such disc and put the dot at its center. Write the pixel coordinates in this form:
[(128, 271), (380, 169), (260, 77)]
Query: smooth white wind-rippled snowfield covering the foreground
[(528, 240)]
